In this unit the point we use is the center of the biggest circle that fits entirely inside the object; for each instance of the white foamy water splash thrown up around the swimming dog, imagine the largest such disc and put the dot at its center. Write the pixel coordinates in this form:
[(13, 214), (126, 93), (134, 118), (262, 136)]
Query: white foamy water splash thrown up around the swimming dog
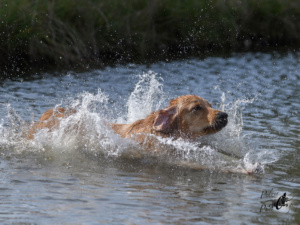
[(86, 133)]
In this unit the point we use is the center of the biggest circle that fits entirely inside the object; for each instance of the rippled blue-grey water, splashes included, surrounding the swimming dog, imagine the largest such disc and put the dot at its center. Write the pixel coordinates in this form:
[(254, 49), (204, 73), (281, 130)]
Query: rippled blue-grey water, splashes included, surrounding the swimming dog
[(93, 176)]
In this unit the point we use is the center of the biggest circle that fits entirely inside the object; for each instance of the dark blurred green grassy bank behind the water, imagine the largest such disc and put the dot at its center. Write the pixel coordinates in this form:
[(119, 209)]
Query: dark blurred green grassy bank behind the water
[(83, 33)]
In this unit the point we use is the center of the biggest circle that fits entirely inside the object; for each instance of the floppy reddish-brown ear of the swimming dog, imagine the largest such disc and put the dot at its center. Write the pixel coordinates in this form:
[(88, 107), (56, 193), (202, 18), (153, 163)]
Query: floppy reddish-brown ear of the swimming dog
[(164, 119)]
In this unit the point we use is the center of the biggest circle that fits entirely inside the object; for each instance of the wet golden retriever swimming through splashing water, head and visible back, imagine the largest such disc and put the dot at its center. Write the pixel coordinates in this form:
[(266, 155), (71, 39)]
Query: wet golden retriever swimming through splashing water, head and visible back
[(186, 117)]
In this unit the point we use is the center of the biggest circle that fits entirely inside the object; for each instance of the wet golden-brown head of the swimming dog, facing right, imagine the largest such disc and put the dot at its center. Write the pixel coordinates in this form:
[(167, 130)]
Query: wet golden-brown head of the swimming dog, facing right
[(190, 116)]
